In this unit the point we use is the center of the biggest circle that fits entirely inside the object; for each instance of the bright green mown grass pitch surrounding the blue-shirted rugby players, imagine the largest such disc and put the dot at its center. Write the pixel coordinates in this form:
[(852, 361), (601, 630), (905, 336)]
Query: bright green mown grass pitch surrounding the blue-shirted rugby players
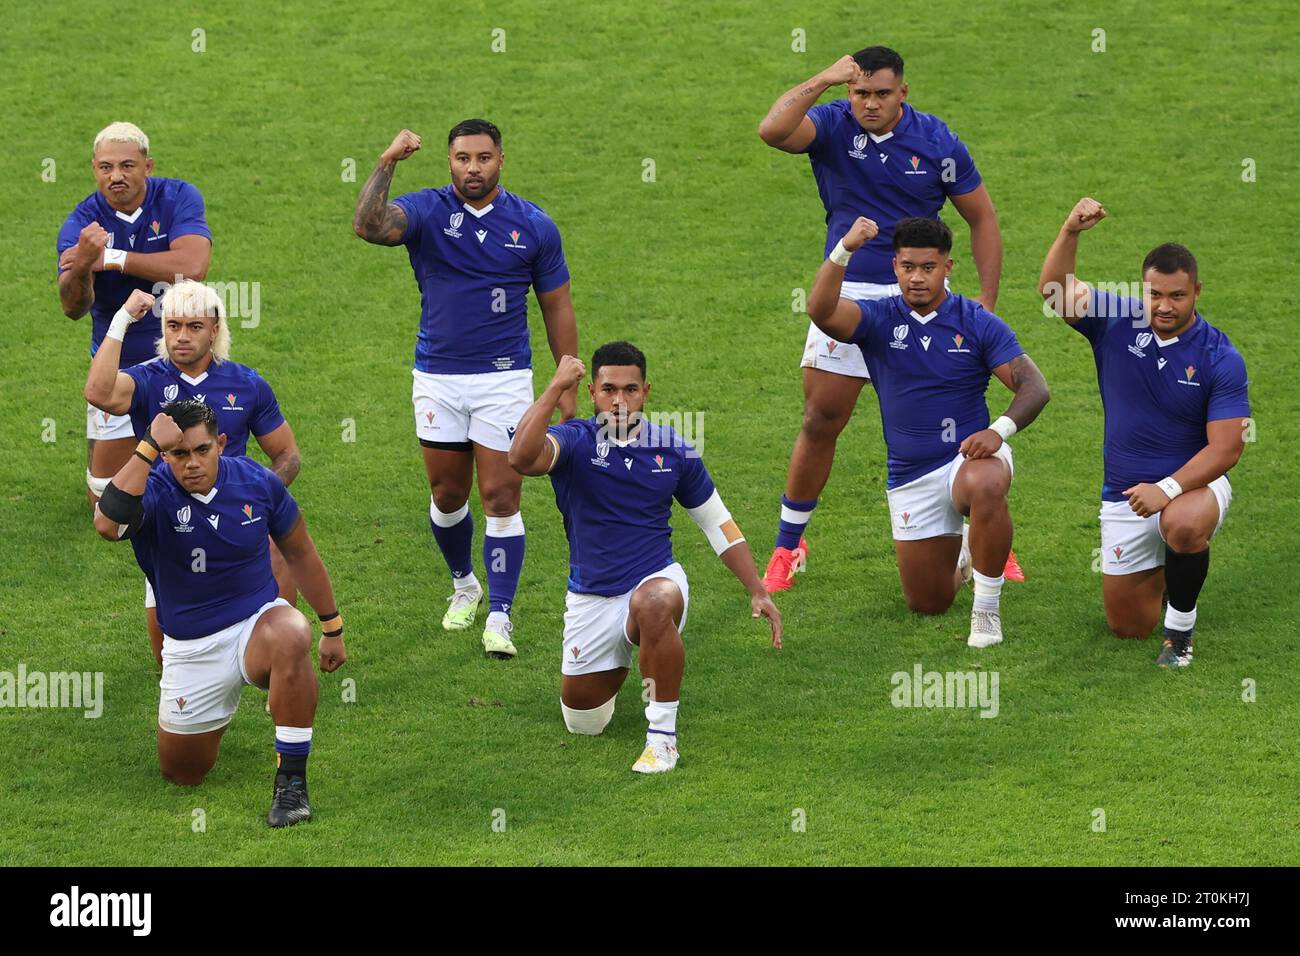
[(699, 270)]
